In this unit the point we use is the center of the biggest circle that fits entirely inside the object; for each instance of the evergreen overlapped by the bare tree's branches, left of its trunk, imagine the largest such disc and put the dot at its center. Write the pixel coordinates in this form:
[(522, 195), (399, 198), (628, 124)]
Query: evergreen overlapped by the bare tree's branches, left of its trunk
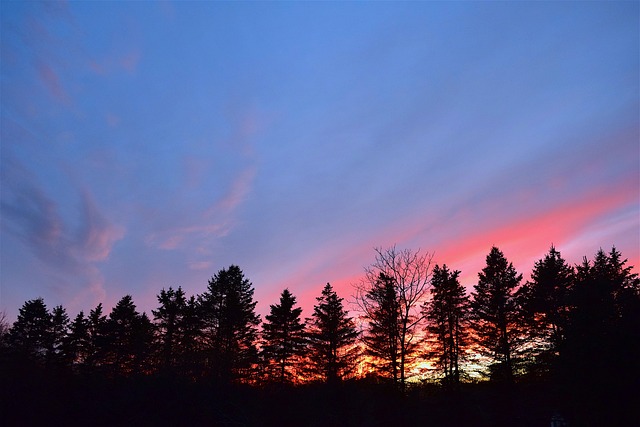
[(382, 335)]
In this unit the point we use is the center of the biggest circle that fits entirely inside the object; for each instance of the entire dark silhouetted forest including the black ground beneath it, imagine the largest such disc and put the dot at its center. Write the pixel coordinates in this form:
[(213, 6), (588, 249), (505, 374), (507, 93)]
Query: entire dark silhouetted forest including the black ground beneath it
[(411, 347)]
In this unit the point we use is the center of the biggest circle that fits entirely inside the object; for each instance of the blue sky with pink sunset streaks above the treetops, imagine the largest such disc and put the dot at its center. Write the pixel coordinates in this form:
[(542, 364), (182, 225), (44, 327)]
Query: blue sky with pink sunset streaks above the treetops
[(151, 144)]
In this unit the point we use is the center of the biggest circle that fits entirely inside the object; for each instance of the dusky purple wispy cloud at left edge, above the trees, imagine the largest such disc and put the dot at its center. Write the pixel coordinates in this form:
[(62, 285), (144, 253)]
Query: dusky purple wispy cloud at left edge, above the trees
[(68, 249)]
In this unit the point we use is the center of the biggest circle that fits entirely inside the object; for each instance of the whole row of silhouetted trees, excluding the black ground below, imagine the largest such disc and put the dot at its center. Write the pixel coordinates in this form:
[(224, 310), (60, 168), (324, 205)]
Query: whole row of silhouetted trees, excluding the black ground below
[(569, 325)]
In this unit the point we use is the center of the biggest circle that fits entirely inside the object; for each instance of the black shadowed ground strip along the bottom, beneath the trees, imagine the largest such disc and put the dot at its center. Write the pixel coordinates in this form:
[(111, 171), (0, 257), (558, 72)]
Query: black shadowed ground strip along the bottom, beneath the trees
[(32, 398)]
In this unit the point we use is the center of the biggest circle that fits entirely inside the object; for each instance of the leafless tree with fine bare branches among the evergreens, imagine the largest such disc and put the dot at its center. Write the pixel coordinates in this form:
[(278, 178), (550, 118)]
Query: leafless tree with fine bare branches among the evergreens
[(410, 273)]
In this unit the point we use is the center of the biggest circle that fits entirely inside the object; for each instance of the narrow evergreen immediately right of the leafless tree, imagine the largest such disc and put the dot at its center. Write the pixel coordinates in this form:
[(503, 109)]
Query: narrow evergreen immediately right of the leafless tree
[(448, 319)]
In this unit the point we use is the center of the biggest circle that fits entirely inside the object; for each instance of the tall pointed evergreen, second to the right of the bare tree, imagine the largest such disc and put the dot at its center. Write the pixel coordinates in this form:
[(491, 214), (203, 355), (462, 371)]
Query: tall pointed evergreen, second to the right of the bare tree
[(495, 314)]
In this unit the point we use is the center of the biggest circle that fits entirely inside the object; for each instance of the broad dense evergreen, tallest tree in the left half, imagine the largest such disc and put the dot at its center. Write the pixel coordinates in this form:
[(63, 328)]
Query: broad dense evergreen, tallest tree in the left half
[(229, 325)]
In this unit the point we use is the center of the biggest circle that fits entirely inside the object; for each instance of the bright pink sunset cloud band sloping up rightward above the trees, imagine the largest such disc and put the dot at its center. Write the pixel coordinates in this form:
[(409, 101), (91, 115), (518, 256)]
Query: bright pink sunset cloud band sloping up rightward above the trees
[(463, 243)]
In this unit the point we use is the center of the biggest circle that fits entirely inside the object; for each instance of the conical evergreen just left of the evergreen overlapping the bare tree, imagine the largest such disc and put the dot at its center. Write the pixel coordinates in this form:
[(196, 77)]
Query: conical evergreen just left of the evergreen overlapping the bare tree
[(332, 336)]
